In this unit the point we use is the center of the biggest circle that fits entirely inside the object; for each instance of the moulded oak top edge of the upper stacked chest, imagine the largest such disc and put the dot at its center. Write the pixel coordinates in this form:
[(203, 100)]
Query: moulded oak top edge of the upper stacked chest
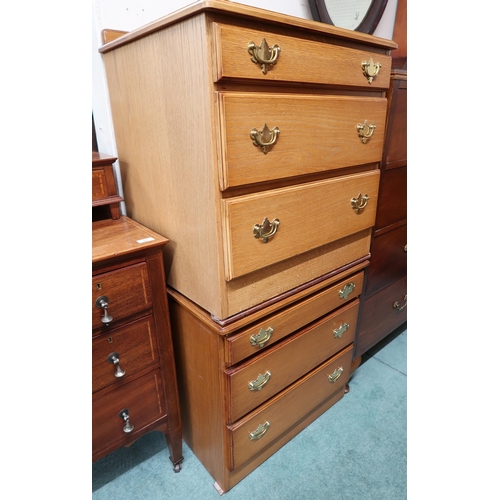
[(250, 13)]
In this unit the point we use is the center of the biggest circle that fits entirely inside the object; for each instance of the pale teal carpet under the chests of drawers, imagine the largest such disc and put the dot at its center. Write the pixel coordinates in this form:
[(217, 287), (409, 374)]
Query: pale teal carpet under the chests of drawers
[(354, 451)]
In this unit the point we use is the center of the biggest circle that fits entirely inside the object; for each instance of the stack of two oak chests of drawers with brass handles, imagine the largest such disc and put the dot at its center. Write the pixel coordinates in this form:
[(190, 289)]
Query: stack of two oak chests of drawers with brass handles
[(253, 140)]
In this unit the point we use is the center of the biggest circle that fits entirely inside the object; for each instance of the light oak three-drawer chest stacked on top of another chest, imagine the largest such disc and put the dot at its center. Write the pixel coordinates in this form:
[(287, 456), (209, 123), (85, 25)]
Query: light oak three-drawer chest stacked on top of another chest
[(252, 139)]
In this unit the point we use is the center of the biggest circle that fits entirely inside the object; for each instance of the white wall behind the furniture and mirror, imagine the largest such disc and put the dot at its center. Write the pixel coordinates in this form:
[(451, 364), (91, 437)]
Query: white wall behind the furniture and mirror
[(129, 15)]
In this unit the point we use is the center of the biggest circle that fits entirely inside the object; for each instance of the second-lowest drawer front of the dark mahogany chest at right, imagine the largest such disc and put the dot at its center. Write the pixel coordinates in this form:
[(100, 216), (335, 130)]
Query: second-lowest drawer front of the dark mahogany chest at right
[(388, 261)]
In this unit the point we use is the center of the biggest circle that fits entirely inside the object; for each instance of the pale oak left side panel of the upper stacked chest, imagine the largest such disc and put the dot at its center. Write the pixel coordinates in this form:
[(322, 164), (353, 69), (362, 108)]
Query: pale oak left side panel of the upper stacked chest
[(163, 119)]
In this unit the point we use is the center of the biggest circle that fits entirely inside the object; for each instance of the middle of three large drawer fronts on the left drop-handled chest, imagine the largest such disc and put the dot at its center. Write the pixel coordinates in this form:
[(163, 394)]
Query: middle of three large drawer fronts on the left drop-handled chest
[(135, 346)]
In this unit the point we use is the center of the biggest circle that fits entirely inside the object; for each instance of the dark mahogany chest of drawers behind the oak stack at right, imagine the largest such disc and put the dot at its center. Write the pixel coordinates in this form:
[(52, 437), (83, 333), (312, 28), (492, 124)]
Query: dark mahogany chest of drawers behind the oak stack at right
[(384, 300)]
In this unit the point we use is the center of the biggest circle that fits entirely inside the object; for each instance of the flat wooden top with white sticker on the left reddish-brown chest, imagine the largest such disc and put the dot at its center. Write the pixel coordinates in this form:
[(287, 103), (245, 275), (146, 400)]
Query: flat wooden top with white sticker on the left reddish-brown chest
[(123, 236)]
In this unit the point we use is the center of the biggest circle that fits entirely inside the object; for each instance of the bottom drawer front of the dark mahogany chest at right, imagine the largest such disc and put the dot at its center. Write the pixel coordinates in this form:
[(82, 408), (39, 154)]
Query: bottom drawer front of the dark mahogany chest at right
[(379, 316)]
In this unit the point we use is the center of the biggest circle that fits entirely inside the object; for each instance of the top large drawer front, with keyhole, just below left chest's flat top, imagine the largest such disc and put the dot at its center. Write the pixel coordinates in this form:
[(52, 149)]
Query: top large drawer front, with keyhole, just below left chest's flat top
[(128, 292)]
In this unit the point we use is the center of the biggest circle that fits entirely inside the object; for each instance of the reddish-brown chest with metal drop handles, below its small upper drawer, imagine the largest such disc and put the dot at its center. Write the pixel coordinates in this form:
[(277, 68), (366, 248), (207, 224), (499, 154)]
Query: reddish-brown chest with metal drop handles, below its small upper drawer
[(134, 385)]
